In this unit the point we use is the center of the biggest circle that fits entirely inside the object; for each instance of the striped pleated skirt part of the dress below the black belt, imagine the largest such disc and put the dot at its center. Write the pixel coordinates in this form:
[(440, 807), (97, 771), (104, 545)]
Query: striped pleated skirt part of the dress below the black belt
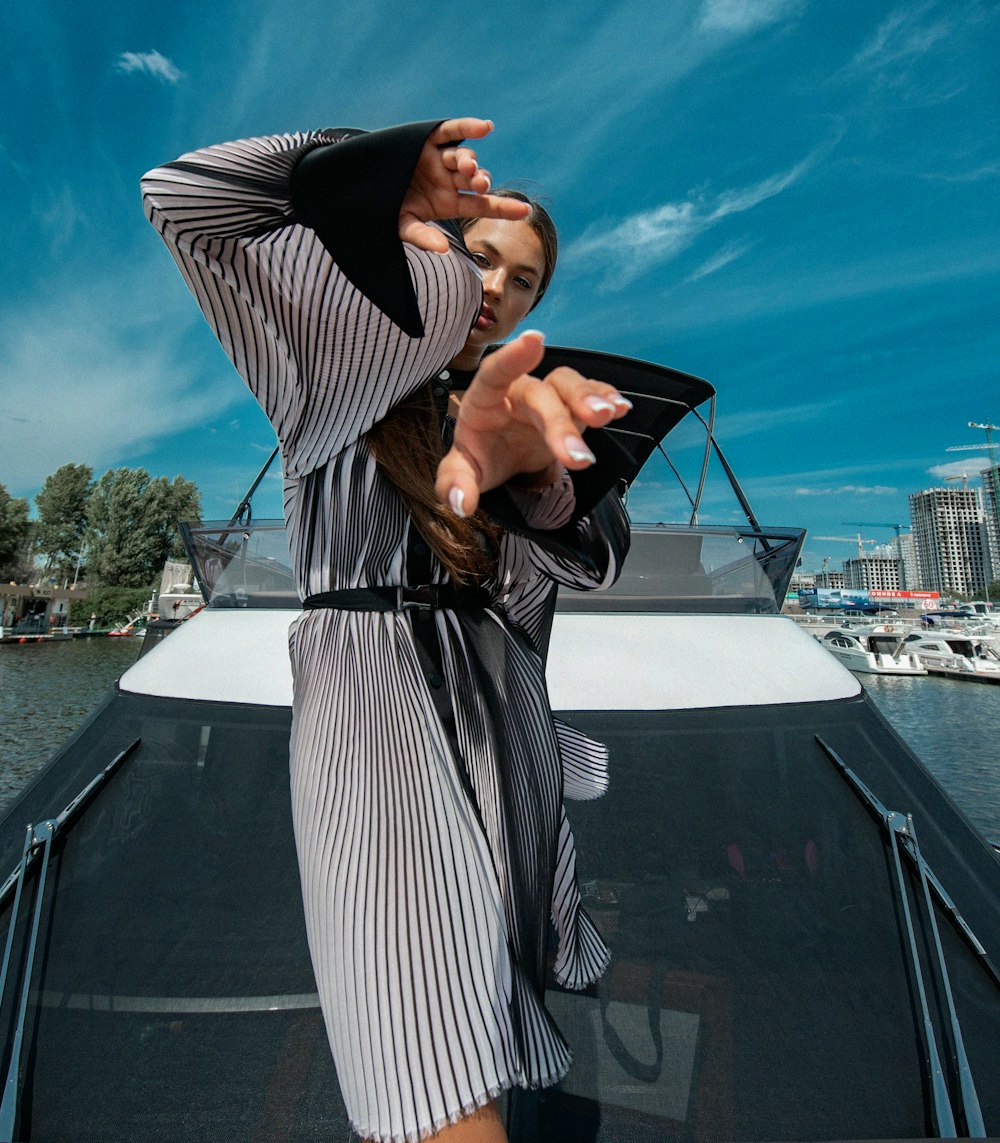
[(434, 861)]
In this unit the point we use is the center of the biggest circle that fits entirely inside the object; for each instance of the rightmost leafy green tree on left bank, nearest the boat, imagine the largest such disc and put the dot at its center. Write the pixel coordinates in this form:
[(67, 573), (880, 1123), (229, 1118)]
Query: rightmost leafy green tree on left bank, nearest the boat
[(133, 525)]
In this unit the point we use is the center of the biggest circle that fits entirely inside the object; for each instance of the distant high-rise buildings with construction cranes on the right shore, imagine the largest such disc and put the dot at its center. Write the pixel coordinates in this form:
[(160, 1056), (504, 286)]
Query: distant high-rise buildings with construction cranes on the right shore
[(951, 546)]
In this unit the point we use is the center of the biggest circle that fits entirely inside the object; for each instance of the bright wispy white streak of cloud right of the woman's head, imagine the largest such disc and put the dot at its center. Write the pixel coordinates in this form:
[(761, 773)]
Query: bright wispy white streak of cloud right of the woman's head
[(651, 238)]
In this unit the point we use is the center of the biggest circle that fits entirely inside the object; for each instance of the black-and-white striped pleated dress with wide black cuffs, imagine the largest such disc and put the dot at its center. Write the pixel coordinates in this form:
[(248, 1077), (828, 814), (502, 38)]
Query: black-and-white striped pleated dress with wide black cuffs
[(427, 789)]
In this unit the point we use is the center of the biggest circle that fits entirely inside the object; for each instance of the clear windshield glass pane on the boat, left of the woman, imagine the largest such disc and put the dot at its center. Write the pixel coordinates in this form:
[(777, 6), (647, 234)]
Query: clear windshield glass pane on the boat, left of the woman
[(242, 565)]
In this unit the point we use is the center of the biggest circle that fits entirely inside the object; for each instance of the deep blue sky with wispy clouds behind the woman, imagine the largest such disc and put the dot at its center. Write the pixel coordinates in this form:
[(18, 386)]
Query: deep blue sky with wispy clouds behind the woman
[(795, 199)]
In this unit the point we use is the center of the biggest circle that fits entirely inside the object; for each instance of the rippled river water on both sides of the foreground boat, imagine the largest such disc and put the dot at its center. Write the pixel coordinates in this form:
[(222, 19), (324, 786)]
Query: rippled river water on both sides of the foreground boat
[(47, 691)]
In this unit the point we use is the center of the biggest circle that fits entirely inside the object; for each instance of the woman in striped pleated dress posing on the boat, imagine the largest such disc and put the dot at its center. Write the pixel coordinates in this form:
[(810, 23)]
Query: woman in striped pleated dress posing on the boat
[(427, 771)]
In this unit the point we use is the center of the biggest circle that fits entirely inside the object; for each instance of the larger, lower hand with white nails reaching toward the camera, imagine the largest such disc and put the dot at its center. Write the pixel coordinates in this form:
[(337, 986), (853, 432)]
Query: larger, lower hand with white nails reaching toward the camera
[(511, 423)]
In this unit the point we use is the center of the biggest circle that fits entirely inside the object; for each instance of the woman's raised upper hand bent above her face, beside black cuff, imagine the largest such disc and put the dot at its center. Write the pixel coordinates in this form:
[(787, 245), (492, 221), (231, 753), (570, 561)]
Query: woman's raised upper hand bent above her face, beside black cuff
[(450, 183)]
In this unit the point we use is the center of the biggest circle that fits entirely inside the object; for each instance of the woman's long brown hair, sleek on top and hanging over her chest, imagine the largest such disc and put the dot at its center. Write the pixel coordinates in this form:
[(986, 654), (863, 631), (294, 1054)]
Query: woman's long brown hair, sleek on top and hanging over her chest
[(407, 445)]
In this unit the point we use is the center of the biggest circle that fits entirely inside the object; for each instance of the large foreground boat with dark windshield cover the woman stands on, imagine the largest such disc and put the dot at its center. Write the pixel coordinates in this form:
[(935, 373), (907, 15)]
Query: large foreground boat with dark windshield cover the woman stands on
[(805, 929)]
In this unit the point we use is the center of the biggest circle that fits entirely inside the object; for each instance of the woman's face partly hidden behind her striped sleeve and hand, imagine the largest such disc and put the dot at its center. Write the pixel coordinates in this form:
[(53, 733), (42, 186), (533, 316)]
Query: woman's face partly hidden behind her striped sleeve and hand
[(513, 262)]
